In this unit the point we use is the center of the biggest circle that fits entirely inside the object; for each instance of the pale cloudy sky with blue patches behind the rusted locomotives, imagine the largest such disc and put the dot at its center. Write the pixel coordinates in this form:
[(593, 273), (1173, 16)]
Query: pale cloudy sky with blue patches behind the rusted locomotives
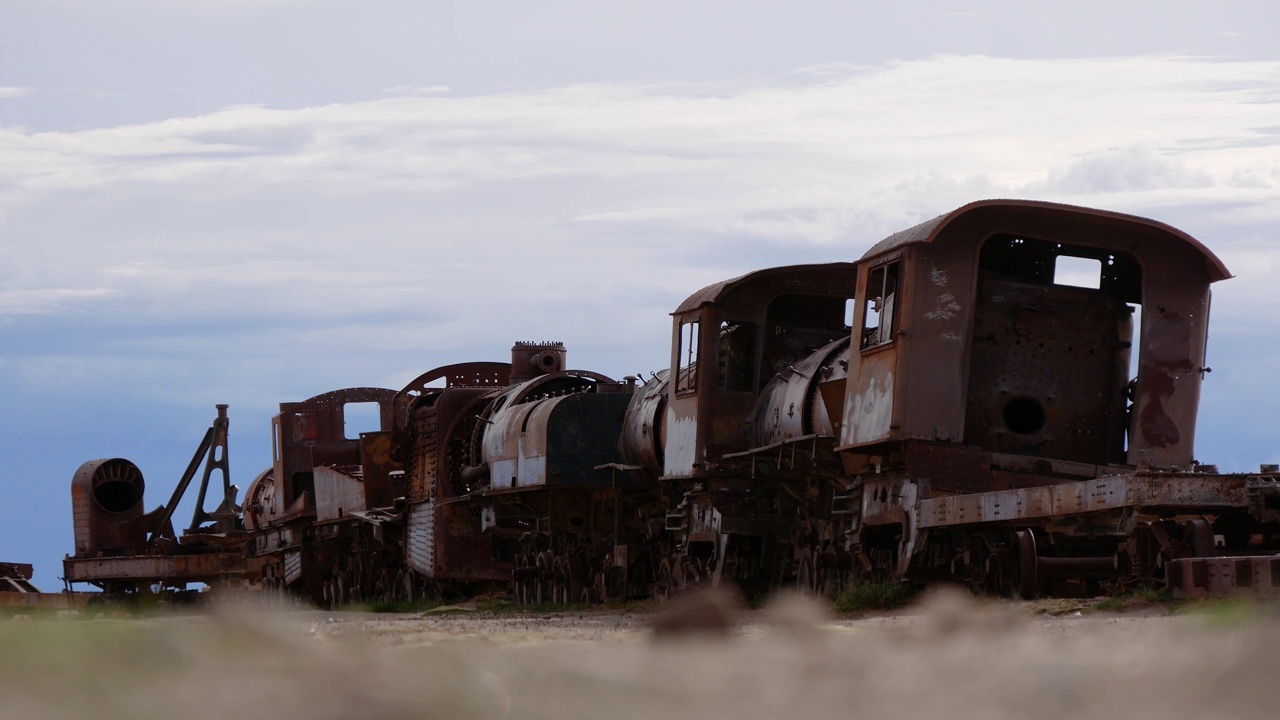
[(254, 202)]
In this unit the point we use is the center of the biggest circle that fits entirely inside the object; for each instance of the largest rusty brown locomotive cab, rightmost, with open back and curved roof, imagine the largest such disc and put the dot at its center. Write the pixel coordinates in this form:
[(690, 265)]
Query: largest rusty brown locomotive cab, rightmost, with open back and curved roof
[(1008, 327)]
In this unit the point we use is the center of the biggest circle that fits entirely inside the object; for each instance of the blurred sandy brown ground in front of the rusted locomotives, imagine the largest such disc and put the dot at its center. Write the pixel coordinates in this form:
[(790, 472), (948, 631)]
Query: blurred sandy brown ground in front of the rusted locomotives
[(949, 658)]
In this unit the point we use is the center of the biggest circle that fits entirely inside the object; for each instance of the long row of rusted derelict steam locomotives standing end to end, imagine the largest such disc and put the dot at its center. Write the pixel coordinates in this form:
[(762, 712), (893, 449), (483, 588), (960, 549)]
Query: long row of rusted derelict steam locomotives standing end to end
[(1005, 397)]
